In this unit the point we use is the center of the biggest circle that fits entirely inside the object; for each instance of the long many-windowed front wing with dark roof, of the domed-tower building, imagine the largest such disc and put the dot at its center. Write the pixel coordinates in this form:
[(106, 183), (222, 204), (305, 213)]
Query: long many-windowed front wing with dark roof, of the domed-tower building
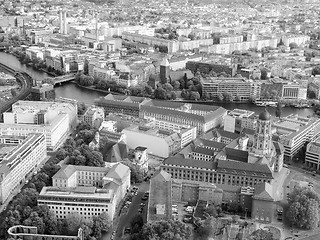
[(223, 173)]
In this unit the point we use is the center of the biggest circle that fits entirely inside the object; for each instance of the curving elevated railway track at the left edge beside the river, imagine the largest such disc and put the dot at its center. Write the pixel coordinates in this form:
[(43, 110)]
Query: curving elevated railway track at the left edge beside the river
[(26, 84)]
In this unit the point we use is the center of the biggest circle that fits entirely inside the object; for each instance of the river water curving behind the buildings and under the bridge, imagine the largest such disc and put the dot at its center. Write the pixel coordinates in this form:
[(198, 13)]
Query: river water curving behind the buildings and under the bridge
[(70, 90)]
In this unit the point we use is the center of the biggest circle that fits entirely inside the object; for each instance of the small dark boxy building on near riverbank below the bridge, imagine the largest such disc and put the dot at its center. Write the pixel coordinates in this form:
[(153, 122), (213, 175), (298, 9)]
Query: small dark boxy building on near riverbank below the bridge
[(43, 92)]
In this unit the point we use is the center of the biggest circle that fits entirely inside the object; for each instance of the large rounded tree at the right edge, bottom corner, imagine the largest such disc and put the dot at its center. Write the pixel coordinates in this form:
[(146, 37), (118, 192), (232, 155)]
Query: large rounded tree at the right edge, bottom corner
[(303, 209)]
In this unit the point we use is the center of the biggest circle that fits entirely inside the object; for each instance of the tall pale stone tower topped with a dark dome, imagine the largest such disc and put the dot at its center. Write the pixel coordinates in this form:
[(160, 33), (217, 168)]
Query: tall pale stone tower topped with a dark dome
[(262, 142)]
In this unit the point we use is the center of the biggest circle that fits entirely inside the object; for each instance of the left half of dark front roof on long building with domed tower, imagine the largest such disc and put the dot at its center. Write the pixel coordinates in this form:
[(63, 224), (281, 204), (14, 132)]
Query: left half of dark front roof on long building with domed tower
[(187, 162)]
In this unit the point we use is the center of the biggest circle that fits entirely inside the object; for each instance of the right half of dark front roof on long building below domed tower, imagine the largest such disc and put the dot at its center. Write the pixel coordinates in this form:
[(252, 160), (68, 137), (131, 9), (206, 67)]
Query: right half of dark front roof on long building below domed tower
[(261, 170)]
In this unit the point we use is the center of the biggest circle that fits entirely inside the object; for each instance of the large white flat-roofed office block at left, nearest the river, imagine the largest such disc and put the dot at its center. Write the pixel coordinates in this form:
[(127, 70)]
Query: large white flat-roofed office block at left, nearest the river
[(53, 119)]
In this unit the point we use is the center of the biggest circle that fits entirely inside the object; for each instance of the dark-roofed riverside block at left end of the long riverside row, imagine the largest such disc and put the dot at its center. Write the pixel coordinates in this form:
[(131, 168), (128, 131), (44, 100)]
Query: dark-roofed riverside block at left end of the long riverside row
[(129, 105)]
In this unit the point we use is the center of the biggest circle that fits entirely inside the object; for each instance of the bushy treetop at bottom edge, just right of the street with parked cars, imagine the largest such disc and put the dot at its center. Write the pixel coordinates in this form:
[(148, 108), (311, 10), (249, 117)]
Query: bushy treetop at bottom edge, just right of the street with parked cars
[(168, 230)]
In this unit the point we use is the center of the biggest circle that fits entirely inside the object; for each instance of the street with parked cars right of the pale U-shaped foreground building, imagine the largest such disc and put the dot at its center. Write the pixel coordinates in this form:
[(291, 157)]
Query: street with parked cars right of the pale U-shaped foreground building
[(126, 218)]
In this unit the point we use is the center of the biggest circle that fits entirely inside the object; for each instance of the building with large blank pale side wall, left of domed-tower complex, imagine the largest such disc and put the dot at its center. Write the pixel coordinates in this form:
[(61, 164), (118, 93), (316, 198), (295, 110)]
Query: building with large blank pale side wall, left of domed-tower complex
[(158, 142)]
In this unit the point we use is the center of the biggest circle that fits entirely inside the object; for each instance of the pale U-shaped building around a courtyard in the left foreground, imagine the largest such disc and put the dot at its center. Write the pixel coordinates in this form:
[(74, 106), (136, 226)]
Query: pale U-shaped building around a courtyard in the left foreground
[(88, 191)]
